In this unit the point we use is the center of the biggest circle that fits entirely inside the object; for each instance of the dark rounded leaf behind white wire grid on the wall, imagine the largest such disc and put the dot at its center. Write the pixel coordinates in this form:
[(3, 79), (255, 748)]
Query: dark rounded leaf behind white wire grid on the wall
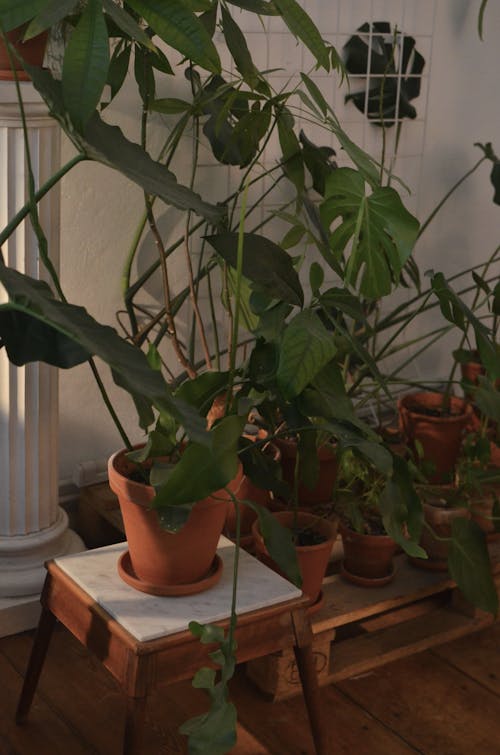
[(392, 67)]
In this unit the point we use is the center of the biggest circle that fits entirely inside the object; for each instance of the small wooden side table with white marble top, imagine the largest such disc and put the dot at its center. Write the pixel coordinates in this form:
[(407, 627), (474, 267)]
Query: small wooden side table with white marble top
[(143, 640)]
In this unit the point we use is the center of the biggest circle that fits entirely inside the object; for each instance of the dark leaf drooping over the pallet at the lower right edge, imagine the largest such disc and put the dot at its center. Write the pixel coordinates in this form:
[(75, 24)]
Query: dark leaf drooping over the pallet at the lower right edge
[(469, 564)]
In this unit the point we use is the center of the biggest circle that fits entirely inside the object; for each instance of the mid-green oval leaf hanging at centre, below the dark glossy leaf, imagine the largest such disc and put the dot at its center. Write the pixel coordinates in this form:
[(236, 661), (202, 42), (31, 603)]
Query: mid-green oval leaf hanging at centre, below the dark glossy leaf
[(307, 346)]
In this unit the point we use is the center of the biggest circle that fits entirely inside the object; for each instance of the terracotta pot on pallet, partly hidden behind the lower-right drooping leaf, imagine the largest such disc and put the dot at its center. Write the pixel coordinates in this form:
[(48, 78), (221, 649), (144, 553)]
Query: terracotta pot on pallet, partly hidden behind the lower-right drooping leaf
[(439, 518)]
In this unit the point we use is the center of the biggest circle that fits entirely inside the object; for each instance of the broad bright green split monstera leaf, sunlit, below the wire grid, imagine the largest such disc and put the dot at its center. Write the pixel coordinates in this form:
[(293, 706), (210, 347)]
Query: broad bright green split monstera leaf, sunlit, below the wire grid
[(377, 225)]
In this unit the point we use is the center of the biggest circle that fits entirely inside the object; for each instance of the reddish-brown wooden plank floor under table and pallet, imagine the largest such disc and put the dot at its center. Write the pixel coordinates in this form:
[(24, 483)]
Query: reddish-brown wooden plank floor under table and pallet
[(445, 701)]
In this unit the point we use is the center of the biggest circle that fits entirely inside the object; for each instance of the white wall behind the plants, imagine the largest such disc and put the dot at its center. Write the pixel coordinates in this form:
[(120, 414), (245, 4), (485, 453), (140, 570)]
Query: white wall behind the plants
[(459, 105)]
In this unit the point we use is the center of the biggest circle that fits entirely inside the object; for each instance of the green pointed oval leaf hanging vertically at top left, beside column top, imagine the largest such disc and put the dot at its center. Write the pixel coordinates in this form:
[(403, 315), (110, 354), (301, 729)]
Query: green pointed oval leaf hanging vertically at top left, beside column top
[(85, 64)]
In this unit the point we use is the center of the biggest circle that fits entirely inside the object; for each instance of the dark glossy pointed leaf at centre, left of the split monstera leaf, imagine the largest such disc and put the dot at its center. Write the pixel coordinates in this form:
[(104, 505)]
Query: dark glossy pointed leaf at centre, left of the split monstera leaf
[(268, 266)]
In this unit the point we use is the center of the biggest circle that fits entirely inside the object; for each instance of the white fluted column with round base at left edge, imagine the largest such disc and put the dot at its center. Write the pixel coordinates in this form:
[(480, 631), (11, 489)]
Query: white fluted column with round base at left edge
[(33, 528)]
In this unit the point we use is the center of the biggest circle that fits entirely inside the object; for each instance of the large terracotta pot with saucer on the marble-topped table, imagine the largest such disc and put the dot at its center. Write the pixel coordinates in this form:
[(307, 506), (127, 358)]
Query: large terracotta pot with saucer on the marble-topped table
[(162, 561)]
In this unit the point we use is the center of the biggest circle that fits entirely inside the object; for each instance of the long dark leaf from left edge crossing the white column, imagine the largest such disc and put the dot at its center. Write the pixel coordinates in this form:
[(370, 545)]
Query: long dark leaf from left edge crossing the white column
[(129, 365)]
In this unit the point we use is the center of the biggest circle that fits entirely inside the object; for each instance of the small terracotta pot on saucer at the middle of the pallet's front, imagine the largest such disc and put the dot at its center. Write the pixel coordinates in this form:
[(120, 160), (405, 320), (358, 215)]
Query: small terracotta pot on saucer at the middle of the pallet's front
[(368, 559)]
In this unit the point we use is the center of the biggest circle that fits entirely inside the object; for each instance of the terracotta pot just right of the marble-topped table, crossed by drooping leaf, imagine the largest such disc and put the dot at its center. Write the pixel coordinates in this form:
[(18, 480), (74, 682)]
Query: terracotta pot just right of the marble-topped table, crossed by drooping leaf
[(313, 559)]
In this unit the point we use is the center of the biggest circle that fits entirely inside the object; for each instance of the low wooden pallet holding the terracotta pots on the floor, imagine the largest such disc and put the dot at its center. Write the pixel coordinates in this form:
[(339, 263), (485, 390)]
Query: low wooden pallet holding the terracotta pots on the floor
[(358, 628)]
